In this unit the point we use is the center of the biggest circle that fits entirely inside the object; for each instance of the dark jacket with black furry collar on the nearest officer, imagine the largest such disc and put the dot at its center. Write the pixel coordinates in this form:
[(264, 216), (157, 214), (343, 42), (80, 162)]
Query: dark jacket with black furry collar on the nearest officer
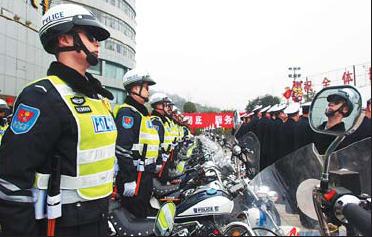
[(50, 130)]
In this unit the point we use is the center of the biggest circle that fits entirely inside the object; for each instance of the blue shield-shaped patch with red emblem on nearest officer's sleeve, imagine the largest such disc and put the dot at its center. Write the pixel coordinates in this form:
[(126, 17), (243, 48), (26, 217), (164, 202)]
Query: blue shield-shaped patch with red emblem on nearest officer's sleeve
[(24, 119)]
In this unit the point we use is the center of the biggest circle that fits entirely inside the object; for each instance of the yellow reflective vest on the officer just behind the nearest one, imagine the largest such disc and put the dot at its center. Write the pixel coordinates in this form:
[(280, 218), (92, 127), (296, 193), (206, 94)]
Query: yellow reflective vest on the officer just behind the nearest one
[(148, 135)]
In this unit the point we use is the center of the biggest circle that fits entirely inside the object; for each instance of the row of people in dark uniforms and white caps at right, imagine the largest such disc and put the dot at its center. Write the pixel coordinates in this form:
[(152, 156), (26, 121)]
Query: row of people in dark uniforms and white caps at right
[(282, 129)]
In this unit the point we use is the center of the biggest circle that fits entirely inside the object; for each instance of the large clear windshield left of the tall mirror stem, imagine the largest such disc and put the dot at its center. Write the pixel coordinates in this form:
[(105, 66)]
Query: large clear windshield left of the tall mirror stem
[(268, 204)]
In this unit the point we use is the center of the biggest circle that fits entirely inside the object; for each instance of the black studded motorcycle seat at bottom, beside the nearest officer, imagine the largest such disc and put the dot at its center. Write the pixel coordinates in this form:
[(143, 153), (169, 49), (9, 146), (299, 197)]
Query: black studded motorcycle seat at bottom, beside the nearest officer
[(125, 223)]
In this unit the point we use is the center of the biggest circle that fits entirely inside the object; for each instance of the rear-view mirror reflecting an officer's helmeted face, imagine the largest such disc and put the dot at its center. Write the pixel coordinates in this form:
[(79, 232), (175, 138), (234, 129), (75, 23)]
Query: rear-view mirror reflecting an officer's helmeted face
[(336, 110)]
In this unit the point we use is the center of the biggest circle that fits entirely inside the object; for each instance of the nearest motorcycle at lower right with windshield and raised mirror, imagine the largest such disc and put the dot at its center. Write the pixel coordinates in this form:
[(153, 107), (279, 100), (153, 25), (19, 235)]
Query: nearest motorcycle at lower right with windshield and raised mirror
[(292, 184)]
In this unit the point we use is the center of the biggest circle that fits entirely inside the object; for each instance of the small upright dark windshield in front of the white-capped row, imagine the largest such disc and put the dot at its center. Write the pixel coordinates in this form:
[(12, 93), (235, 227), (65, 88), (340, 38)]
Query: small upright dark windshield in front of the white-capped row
[(250, 147)]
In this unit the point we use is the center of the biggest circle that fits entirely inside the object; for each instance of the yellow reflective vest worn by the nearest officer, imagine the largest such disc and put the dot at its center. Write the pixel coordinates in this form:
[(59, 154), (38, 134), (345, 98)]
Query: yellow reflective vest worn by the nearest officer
[(95, 148)]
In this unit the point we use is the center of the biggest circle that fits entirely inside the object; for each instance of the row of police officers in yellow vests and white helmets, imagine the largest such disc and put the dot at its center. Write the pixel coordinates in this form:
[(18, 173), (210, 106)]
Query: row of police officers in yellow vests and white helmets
[(65, 148)]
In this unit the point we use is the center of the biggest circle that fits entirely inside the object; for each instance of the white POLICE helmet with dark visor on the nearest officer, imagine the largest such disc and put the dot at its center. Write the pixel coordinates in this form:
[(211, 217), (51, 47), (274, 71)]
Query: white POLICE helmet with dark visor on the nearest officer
[(64, 18)]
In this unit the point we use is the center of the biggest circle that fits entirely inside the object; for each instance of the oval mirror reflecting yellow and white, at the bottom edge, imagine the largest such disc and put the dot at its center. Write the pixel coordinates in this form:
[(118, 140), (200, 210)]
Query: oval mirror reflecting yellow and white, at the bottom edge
[(164, 222)]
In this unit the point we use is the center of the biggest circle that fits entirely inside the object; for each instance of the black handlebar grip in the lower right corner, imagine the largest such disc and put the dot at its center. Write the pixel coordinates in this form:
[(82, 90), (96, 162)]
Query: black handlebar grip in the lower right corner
[(359, 218)]
